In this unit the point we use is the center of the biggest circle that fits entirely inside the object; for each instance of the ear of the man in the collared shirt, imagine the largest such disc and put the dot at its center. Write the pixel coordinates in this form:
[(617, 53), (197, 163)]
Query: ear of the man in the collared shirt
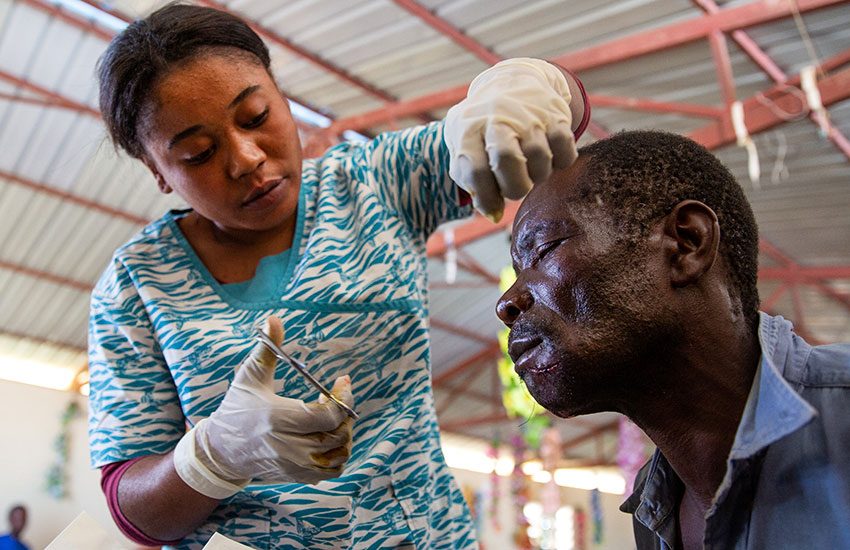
[(693, 233)]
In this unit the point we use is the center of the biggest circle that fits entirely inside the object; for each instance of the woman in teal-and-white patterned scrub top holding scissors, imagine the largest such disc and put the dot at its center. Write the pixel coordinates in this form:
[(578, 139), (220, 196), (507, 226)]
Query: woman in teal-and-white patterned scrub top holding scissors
[(334, 247)]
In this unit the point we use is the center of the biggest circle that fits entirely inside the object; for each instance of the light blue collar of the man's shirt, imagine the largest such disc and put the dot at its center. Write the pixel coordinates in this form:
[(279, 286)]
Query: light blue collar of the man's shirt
[(773, 408)]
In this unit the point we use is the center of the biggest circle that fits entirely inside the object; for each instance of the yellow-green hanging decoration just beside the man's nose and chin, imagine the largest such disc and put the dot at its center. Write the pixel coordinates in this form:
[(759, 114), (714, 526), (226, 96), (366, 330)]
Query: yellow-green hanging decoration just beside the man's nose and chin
[(515, 397)]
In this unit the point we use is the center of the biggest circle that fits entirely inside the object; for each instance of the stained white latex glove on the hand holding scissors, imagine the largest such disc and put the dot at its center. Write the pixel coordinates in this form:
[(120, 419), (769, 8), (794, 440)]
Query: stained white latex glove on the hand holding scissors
[(257, 435)]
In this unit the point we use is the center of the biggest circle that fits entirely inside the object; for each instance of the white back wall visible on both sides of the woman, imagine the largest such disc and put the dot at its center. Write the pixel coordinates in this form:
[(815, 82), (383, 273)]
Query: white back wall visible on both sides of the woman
[(30, 422)]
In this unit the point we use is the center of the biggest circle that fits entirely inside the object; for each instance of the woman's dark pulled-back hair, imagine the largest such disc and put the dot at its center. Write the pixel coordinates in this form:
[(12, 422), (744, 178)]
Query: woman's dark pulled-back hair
[(148, 48)]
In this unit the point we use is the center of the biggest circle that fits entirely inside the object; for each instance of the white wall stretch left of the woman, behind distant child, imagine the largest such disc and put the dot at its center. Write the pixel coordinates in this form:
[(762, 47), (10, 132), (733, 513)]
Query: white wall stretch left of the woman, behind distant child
[(29, 423)]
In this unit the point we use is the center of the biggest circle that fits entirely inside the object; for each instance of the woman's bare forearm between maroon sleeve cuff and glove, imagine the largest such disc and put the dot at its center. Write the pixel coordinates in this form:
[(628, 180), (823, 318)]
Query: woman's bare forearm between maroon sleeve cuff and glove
[(155, 500)]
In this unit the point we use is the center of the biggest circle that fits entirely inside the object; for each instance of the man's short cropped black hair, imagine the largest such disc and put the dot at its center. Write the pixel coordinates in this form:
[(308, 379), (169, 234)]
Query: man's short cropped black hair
[(641, 175)]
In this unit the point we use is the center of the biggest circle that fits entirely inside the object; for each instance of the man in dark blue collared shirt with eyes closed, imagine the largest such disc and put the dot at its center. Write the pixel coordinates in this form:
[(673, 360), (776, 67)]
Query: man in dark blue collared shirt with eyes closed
[(636, 293)]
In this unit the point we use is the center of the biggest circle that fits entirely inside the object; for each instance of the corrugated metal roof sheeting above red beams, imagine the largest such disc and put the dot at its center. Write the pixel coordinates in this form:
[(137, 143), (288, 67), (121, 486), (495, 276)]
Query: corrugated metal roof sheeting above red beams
[(68, 200)]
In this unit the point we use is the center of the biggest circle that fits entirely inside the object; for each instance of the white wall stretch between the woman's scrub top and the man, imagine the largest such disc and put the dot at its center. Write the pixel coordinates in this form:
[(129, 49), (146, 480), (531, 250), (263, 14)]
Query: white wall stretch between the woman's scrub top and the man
[(616, 525)]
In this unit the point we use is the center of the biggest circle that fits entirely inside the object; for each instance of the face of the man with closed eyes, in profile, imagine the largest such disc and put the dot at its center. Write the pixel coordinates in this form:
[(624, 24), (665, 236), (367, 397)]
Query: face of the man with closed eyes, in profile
[(582, 310)]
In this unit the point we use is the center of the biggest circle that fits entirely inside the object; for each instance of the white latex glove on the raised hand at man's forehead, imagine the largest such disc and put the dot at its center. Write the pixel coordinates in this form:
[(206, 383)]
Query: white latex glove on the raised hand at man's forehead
[(513, 127)]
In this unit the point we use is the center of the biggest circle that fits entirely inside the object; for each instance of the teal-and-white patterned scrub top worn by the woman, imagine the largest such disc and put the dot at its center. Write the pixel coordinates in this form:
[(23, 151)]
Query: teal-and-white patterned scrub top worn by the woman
[(166, 338)]
